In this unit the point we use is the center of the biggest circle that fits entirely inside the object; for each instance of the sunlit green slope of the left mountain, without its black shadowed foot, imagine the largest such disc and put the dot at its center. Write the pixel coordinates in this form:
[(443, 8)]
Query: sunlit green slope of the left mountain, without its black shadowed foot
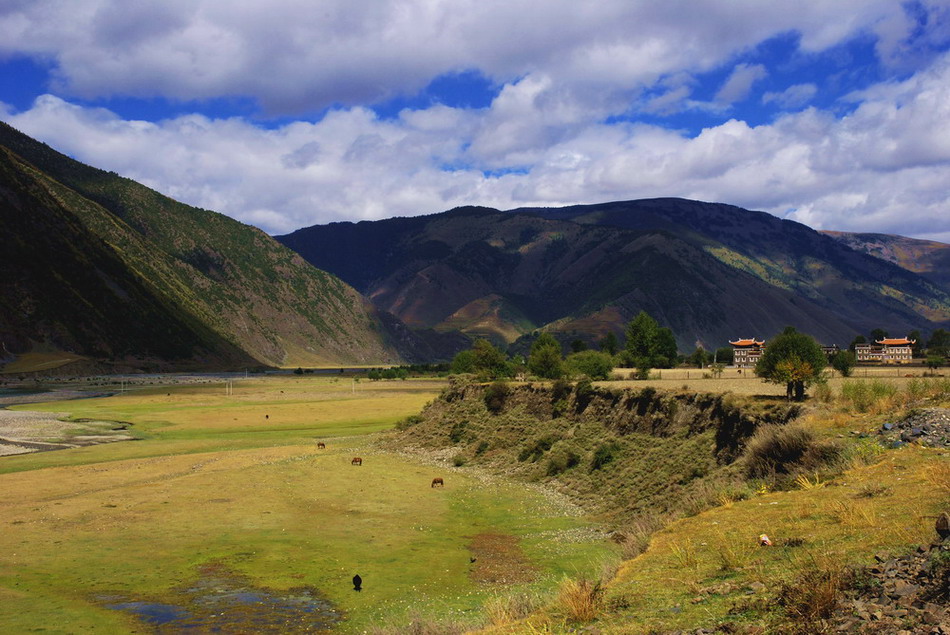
[(226, 282)]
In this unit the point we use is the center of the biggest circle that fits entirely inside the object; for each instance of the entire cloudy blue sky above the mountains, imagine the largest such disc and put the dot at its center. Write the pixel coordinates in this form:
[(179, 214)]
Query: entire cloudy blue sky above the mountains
[(835, 113)]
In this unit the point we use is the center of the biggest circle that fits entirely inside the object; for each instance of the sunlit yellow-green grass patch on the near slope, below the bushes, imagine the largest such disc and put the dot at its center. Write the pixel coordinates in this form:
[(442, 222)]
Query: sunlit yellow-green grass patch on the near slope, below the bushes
[(836, 523)]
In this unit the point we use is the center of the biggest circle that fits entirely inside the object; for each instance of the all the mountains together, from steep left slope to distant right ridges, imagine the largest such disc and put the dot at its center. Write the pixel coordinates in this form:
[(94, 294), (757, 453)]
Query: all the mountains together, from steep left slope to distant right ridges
[(97, 264)]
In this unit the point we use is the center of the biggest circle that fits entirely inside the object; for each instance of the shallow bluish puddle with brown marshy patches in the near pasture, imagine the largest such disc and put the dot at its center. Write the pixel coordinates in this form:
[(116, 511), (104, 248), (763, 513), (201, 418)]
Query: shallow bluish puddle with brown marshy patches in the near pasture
[(221, 601)]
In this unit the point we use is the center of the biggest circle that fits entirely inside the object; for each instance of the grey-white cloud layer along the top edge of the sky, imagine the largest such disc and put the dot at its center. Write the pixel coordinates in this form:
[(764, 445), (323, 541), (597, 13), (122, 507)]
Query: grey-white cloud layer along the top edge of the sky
[(295, 56)]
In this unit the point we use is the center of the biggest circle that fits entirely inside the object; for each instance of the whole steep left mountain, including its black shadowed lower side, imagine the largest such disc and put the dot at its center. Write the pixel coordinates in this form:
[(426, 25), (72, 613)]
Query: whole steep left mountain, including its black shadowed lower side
[(100, 265)]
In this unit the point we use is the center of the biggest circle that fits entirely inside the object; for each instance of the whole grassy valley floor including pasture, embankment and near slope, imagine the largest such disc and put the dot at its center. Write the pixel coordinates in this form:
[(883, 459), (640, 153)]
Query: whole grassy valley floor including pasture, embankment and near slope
[(224, 514)]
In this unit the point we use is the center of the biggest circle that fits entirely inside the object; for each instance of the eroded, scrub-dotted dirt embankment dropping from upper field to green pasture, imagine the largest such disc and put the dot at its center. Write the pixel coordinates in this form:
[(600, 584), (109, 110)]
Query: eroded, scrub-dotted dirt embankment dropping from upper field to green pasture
[(623, 454)]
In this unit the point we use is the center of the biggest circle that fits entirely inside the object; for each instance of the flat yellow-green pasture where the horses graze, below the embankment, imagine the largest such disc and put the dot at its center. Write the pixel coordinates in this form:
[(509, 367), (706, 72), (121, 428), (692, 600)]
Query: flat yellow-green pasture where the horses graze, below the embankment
[(236, 481)]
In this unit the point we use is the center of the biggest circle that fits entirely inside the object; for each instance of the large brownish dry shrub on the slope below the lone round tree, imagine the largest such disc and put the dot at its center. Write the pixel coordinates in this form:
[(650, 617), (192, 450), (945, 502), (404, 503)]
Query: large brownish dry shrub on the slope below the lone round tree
[(786, 450)]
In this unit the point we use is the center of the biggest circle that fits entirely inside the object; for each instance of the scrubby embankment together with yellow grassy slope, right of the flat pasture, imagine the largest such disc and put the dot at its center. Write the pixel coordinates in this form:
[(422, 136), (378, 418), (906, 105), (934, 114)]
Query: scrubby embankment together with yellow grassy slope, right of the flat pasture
[(816, 479)]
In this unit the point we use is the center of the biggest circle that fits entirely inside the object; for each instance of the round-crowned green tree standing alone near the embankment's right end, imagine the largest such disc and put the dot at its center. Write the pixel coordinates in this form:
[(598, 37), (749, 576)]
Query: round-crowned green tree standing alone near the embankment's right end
[(793, 359)]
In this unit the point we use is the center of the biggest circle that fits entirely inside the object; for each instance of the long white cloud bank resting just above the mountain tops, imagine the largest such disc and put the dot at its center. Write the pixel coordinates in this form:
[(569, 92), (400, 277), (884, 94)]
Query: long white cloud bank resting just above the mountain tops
[(883, 167)]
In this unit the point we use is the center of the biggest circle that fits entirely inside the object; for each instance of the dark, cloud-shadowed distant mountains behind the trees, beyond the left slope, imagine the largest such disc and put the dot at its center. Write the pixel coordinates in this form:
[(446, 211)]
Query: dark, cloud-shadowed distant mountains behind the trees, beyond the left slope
[(709, 271)]
